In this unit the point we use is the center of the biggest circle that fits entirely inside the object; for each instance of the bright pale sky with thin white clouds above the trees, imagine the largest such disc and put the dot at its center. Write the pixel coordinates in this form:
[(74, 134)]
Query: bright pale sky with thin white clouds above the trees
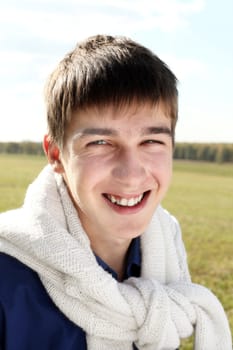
[(194, 37)]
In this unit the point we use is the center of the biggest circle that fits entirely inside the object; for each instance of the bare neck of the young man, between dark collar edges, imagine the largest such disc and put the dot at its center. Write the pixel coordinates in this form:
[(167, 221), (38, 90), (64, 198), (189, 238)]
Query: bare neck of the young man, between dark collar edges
[(113, 253)]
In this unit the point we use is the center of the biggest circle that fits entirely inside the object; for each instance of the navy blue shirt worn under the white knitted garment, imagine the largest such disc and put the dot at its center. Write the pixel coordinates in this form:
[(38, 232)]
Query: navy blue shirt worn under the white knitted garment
[(29, 320)]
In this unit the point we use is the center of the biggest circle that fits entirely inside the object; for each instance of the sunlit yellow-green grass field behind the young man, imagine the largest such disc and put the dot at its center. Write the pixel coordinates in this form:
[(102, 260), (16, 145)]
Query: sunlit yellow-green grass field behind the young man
[(201, 197)]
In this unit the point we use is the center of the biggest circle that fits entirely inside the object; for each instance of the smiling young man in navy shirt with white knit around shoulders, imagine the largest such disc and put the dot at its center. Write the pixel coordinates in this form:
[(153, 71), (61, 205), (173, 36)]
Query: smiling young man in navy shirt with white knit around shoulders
[(92, 261)]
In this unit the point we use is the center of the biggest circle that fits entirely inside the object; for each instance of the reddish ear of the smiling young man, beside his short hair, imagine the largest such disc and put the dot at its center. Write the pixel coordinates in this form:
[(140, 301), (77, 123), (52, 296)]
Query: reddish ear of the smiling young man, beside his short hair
[(53, 154)]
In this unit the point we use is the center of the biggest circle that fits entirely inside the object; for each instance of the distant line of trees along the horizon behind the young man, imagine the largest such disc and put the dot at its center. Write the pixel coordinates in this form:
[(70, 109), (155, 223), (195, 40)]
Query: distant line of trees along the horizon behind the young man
[(210, 152)]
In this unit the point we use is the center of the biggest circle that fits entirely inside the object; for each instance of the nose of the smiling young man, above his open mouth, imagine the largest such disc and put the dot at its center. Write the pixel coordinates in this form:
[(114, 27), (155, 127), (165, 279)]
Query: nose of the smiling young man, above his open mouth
[(129, 168)]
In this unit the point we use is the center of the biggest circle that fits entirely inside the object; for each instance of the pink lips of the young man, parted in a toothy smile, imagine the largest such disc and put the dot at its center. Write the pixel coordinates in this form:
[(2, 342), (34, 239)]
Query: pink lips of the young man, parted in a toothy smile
[(124, 210)]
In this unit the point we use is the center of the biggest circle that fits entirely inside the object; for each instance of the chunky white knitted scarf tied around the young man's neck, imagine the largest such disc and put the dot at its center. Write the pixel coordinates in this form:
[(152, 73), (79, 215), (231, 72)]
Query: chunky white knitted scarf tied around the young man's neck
[(154, 311)]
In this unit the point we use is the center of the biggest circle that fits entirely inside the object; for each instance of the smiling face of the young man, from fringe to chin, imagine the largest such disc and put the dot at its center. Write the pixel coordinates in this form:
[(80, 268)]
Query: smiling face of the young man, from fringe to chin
[(117, 165)]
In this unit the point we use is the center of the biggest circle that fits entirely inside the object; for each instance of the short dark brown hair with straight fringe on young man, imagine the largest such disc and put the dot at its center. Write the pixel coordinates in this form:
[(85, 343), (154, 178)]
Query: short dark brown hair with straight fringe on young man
[(106, 70)]
